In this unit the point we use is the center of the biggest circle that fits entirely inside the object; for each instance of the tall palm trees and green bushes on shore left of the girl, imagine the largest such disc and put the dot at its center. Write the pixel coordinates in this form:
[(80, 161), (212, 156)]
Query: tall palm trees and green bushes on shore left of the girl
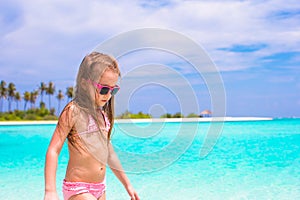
[(11, 95)]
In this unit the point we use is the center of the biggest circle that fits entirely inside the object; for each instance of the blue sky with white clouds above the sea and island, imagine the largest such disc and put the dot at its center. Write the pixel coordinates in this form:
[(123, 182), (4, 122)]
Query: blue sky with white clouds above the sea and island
[(254, 44)]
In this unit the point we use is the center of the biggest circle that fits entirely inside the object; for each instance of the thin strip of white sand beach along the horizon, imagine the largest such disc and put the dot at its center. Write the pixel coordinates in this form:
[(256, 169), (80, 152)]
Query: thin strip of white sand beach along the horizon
[(205, 119)]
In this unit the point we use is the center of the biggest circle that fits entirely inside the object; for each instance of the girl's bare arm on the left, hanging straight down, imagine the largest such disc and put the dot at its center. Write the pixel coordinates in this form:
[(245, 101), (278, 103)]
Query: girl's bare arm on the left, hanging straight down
[(61, 132)]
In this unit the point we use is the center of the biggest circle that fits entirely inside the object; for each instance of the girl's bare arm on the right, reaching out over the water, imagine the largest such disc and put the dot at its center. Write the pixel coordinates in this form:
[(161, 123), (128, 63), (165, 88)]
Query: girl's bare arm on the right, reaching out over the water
[(116, 167)]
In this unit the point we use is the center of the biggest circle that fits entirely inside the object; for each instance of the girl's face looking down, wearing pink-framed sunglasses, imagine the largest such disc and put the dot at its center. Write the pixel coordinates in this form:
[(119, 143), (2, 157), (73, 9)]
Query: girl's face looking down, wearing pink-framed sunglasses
[(109, 78)]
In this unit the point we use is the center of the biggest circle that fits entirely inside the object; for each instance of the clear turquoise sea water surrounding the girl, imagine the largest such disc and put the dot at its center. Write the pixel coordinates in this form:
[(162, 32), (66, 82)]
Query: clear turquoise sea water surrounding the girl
[(251, 160)]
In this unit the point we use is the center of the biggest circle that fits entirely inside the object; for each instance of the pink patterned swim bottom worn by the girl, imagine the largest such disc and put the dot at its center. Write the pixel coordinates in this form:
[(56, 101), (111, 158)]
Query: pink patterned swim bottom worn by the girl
[(74, 188)]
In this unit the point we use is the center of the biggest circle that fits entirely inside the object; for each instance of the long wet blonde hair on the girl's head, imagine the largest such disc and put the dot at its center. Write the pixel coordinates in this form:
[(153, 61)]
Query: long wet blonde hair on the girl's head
[(91, 69)]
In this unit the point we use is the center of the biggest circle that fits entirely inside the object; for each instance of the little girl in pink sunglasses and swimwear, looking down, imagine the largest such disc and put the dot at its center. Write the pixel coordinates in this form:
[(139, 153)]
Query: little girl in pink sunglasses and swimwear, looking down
[(87, 123)]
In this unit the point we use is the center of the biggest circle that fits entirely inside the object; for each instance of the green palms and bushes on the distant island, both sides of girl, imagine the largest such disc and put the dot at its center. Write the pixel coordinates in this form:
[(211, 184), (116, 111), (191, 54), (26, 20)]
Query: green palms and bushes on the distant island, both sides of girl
[(10, 94)]
